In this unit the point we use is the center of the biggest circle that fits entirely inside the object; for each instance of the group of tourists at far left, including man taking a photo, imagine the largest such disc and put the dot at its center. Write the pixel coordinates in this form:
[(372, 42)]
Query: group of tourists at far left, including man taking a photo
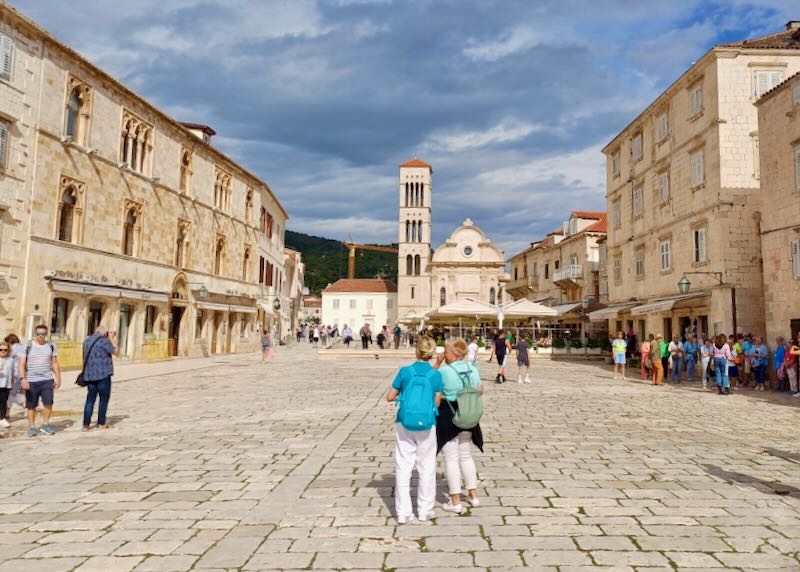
[(30, 375)]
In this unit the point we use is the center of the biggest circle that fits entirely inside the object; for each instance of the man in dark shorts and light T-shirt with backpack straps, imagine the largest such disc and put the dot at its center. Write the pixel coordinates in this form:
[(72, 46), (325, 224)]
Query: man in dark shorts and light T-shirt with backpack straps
[(40, 375)]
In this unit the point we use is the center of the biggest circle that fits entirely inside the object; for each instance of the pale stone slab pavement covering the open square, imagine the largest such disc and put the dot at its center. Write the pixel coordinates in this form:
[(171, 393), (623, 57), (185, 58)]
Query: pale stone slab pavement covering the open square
[(232, 465)]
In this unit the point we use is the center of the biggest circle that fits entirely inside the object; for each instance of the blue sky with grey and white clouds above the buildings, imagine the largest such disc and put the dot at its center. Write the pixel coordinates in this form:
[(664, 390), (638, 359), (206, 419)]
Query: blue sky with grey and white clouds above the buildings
[(509, 100)]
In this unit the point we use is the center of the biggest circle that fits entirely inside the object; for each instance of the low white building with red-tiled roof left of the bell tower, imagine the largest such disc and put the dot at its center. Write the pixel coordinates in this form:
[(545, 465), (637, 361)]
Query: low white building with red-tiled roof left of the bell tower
[(355, 302)]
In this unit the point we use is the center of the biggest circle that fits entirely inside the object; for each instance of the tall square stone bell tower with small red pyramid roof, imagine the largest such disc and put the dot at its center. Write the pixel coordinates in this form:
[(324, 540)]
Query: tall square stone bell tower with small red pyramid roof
[(413, 275)]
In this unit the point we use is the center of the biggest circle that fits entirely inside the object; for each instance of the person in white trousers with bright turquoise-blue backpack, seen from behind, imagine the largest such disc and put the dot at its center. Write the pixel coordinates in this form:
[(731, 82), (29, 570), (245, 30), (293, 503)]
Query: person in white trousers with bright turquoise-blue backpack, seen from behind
[(418, 388)]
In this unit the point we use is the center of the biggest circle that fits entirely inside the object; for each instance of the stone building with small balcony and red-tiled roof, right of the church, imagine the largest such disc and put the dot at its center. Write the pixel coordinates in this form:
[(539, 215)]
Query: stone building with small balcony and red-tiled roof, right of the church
[(562, 270)]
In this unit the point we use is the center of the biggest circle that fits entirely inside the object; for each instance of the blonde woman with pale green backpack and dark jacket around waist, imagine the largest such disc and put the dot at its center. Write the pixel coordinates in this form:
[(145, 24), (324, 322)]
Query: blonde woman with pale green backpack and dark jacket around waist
[(458, 423)]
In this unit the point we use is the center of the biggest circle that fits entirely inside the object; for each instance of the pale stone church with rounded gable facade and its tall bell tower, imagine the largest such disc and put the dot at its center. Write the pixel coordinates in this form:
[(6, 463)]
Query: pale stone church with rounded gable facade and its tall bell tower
[(466, 266)]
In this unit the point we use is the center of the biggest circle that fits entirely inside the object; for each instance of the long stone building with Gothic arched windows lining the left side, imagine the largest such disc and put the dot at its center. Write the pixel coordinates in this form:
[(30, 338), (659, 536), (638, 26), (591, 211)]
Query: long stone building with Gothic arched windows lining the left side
[(114, 213)]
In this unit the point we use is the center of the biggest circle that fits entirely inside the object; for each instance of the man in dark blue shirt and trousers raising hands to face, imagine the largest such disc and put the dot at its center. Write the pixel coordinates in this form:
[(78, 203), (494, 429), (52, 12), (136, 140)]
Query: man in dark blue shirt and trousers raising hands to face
[(98, 367)]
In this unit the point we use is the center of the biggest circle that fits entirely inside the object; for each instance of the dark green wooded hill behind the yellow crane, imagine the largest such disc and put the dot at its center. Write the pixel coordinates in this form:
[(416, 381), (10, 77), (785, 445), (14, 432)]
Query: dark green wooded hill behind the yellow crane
[(326, 261)]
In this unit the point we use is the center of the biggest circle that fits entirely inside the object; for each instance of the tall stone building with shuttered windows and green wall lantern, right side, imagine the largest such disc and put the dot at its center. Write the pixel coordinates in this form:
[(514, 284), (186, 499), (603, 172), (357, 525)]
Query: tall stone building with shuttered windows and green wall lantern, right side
[(683, 200)]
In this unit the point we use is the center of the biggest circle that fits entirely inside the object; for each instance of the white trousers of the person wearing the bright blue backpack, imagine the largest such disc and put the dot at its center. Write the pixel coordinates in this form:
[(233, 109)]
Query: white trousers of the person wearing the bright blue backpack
[(414, 448)]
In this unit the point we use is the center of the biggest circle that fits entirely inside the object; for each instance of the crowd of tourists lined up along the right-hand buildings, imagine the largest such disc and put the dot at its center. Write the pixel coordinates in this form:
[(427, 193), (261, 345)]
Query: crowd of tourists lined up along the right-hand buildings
[(734, 362)]
